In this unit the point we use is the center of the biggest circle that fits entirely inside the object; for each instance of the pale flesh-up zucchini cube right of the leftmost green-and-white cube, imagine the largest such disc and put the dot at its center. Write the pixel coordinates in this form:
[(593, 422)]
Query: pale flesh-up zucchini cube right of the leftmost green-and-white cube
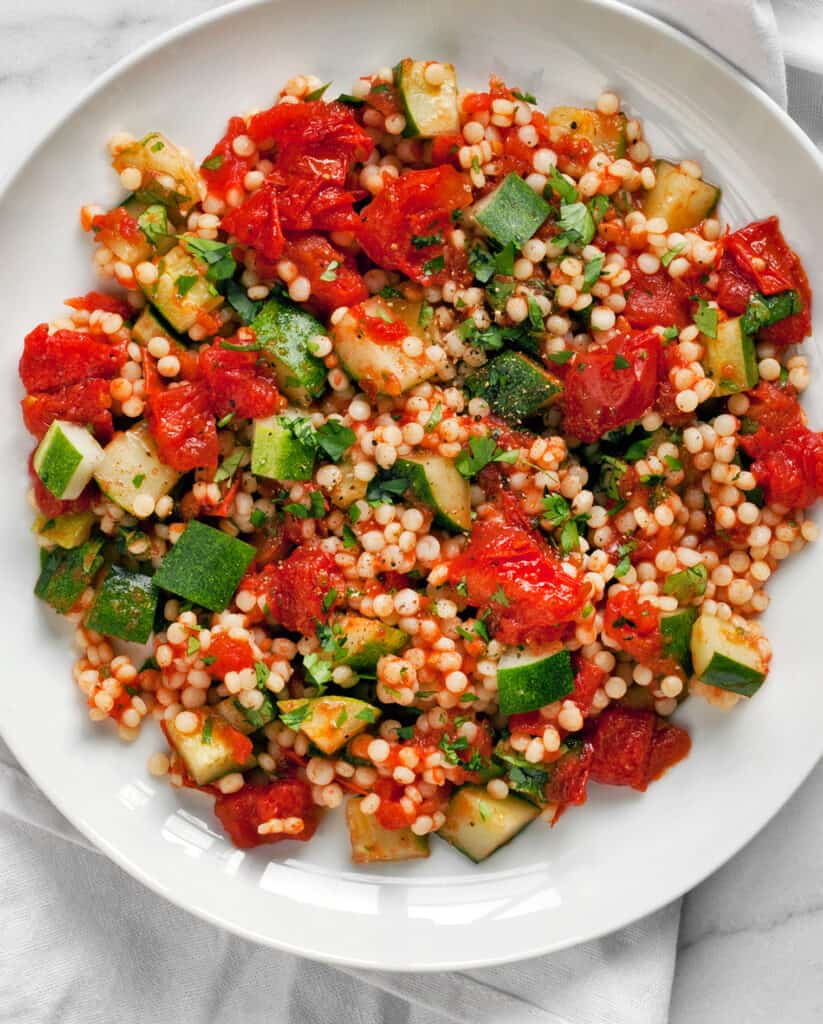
[(132, 466)]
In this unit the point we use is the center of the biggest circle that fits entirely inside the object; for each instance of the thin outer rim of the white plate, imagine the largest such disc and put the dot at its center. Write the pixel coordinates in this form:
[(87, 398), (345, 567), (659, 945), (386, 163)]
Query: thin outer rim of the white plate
[(121, 859)]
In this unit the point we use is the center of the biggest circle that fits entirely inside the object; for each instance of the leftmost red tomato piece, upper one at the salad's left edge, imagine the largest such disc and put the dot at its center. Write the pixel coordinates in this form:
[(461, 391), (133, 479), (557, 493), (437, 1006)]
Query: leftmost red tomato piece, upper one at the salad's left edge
[(52, 361)]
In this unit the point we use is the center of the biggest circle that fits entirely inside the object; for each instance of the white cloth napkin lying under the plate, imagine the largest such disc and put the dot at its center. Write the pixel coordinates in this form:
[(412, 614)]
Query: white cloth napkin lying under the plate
[(83, 943)]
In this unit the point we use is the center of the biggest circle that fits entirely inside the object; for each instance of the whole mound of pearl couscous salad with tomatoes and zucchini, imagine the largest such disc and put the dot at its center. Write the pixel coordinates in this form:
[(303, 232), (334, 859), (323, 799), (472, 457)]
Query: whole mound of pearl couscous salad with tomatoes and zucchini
[(435, 448)]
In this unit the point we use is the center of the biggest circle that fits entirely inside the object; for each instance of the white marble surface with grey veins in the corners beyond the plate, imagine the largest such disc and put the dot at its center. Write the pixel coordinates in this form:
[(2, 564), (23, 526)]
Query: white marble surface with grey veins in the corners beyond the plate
[(752, 936)]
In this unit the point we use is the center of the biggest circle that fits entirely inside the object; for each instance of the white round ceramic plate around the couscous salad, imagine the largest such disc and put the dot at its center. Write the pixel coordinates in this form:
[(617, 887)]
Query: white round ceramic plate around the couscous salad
[(621, 857)]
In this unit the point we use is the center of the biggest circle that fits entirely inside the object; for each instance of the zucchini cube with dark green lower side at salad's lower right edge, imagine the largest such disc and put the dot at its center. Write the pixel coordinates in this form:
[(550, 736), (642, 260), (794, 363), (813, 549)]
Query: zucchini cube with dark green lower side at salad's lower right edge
[(727, 656)]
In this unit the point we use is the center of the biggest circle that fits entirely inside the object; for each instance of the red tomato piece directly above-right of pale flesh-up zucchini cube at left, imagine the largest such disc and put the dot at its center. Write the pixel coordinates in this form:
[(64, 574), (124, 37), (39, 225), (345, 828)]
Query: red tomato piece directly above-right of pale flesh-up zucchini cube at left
[(182, 422)]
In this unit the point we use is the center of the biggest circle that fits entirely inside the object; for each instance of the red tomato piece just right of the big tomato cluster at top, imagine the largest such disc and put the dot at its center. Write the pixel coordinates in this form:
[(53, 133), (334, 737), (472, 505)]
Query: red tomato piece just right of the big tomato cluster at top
[(406, 226)]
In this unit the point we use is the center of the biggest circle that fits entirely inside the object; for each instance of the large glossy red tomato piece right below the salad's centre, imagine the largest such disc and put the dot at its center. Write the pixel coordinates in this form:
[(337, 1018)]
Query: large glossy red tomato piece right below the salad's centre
[(514, 577)]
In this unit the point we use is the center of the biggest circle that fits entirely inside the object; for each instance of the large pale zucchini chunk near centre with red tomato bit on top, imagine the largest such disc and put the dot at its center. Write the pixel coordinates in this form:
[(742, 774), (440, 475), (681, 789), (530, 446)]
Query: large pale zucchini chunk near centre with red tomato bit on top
[(377, 363)]
